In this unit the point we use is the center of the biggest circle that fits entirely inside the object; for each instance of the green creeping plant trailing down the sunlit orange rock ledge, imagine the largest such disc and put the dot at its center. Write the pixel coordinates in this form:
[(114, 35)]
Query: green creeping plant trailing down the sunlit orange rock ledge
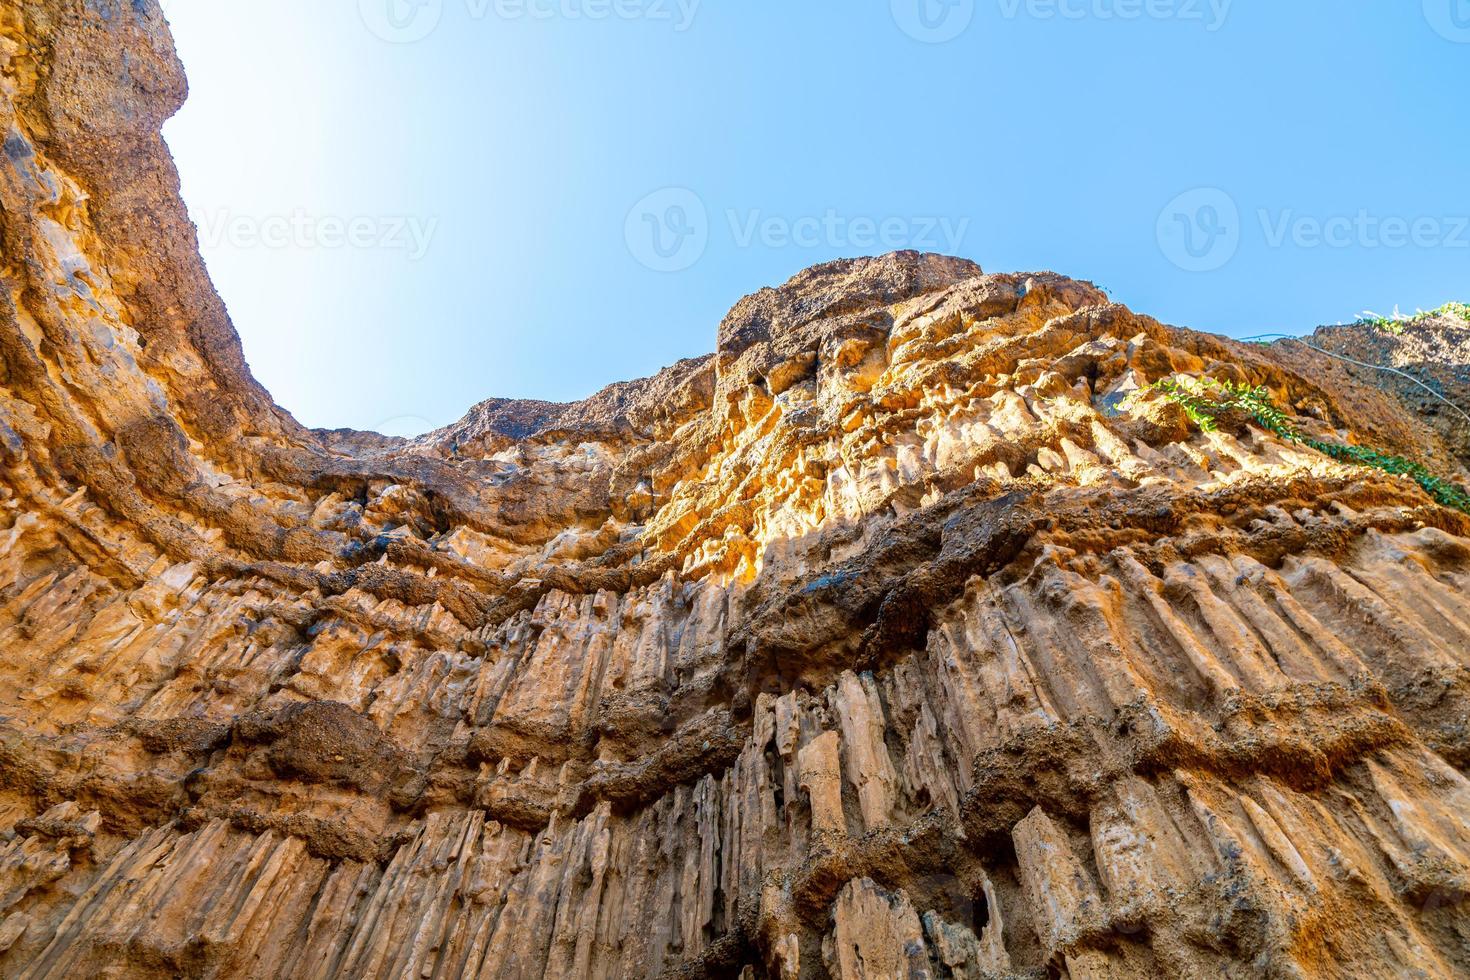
[(1205, 400)]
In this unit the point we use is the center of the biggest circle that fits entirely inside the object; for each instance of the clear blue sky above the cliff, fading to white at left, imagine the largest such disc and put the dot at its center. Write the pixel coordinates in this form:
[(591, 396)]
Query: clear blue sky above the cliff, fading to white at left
[(415, 205)]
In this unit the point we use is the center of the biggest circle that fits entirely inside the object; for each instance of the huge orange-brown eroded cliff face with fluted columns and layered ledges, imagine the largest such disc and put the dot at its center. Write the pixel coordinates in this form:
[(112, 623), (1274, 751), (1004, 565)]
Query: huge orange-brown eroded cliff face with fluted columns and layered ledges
[(889, 641)]
